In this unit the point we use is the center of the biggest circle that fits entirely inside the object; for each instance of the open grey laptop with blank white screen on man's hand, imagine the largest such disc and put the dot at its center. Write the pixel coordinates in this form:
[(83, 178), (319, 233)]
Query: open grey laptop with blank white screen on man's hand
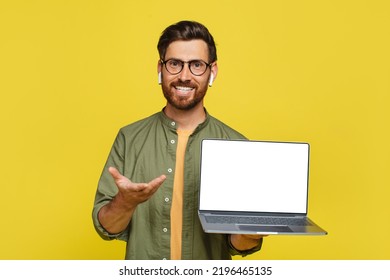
[(255, 187)]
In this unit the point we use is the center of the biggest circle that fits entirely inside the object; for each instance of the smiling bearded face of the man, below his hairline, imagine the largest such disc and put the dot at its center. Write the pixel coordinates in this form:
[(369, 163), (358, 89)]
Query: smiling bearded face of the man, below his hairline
[(184, 90)]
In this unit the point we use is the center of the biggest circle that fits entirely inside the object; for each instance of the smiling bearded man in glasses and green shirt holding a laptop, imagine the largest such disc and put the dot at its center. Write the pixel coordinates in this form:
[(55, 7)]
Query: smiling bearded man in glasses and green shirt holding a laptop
[(148, 192)]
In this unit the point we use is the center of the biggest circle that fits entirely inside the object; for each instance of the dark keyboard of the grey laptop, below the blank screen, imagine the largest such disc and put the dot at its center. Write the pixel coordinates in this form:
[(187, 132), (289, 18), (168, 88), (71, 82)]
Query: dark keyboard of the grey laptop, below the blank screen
[(257, 220)]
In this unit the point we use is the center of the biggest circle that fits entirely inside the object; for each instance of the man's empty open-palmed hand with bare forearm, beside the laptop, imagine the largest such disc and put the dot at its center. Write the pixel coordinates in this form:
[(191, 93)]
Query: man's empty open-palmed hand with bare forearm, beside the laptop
[(116, 215)]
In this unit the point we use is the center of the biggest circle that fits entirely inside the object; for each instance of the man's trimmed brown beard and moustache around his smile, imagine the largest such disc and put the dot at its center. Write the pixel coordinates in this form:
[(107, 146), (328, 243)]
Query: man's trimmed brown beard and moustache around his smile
[(183, 102)]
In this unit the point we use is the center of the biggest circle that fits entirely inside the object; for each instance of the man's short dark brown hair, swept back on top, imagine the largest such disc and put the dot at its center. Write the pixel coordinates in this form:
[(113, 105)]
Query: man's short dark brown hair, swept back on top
[(185, 31)]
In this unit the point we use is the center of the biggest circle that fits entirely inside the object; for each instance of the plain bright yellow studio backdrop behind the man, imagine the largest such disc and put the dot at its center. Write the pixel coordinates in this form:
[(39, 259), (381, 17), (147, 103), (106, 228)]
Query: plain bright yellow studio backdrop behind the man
[(73, 72)]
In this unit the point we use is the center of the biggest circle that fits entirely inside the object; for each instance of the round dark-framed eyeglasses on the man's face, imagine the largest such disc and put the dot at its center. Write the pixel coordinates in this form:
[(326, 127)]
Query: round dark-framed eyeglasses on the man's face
[(175, 66)]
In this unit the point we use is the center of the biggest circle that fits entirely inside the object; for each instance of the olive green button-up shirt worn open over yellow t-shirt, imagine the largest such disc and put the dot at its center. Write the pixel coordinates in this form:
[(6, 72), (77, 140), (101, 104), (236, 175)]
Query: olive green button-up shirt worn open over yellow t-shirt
[(143, 151)]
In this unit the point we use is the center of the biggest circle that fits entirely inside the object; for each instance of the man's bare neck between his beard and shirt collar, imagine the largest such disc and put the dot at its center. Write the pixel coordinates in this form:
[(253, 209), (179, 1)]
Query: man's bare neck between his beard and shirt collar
[(186, 119)]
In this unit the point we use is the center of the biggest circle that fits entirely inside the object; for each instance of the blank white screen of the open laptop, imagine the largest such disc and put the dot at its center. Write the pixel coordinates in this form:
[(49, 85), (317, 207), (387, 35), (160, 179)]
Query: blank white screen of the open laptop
[(254, 176)]
